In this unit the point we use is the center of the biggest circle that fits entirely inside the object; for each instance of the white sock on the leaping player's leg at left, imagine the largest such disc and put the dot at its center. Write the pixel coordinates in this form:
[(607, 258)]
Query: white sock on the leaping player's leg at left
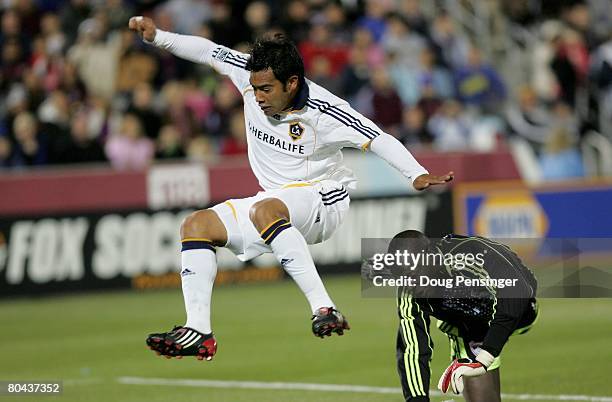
[(199, 269)]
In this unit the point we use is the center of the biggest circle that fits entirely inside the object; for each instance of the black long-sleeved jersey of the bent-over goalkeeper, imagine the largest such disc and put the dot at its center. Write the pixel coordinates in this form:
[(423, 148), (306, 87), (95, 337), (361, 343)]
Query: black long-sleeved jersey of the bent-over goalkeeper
[(474, 304)]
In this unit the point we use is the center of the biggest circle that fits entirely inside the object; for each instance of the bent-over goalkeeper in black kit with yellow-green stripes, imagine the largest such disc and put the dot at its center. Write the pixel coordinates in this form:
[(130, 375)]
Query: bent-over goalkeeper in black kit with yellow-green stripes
[(480, 292)]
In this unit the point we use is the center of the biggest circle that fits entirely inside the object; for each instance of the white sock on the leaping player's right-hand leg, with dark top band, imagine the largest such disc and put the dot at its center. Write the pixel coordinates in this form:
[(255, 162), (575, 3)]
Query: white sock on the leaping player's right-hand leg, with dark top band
[(291, 250)]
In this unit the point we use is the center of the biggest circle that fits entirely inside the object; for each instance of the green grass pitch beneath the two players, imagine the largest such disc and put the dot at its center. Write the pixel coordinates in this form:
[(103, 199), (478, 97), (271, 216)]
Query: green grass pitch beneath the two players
[(90, 341)]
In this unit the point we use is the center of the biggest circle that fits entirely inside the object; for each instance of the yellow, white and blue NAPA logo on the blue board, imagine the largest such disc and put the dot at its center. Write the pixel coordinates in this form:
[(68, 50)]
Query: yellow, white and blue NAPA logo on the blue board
[(511, 215)]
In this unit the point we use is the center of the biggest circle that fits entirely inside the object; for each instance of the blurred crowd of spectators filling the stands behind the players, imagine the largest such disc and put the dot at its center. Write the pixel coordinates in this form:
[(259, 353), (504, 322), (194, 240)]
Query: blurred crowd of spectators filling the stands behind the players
[(77, 86)]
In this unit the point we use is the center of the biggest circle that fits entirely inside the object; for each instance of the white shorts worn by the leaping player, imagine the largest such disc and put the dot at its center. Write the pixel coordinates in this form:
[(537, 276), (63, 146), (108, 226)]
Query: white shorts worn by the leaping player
[(316, 210)]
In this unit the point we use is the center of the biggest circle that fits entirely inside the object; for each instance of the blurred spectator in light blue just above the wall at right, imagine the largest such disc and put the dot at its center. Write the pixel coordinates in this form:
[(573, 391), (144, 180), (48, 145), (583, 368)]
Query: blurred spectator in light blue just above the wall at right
[(560, 159)]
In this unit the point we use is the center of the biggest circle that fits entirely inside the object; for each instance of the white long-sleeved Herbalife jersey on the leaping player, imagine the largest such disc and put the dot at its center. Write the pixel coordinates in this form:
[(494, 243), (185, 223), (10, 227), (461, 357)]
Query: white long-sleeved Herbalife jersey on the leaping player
[(304, 144)]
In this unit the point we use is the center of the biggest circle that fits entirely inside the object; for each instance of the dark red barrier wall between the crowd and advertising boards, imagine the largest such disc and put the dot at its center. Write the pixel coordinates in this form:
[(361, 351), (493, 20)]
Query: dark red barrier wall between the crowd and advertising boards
[(88, 189)]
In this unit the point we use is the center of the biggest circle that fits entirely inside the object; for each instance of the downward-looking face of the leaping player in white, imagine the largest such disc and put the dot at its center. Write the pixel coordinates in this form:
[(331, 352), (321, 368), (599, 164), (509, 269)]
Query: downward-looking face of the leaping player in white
[(272, 95)]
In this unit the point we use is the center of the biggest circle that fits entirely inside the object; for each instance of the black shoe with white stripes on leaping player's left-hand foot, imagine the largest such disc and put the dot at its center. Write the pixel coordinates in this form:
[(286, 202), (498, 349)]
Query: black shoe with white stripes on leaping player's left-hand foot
[(183, 341)]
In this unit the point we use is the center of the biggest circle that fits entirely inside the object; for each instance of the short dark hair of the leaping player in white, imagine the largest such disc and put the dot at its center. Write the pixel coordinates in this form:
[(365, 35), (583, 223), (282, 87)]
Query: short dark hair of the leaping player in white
[(279, 54)]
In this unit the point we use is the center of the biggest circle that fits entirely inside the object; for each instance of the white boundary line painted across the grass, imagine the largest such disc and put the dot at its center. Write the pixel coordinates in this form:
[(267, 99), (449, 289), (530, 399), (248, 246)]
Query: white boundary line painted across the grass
[(298, 386)]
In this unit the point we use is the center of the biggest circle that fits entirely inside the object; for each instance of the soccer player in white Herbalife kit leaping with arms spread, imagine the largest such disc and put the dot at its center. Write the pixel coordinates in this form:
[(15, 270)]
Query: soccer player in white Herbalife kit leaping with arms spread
[(295, 131)]
